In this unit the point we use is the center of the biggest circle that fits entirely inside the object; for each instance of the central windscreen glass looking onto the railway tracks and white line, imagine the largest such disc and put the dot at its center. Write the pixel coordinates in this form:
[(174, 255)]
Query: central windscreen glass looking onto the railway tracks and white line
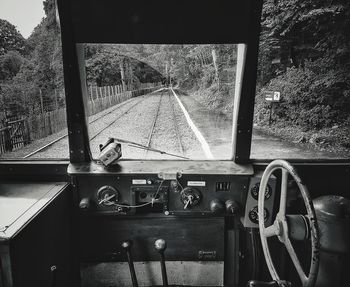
[(162, 101)]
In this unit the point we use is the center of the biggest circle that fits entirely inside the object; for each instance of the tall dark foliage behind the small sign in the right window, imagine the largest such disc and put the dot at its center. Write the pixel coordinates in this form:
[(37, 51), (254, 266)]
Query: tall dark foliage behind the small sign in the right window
[(312, 42)]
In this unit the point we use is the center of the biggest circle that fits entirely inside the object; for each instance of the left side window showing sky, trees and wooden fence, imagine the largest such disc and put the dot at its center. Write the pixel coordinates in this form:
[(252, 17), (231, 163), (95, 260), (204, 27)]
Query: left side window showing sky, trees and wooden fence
[(32, 99)]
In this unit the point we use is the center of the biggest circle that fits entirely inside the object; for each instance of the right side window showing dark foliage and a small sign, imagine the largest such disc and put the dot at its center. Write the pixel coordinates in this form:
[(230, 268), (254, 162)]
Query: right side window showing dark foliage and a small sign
[(302, 107)]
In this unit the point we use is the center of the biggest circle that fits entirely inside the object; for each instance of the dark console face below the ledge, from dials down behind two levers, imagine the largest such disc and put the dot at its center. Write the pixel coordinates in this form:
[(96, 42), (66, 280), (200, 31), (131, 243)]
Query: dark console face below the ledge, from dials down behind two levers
[(187, 211)]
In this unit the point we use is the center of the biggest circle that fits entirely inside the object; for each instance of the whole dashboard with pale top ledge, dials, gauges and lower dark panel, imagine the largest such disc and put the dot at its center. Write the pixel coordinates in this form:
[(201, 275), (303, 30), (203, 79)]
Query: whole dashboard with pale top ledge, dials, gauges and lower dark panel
[(196, 207)]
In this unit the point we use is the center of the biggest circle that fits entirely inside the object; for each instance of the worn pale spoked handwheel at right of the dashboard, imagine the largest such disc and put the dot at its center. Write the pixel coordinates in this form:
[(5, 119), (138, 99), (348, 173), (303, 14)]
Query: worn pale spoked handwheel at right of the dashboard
[(280, 226)]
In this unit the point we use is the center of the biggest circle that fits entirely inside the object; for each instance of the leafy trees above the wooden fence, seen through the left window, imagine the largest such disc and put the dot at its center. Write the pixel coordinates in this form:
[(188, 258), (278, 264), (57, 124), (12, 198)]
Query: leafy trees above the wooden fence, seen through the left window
[(31, 70)]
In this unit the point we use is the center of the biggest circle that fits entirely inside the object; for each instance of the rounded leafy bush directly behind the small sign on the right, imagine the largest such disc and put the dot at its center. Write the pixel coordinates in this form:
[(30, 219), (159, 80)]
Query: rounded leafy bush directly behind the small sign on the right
[(314, 96)]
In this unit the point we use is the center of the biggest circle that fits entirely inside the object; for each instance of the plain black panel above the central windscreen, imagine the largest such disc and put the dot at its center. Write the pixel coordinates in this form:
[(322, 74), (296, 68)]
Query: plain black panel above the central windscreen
[(161, 21)]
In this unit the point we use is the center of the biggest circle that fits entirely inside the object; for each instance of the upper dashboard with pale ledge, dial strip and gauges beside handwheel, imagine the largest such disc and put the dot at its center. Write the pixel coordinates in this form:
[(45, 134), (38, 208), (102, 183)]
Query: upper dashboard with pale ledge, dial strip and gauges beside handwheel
[(171, 188)]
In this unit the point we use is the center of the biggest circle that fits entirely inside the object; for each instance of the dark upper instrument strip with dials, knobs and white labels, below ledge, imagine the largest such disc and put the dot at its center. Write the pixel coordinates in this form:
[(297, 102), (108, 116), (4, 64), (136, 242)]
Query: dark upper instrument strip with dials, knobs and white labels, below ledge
[(153, 193)]
